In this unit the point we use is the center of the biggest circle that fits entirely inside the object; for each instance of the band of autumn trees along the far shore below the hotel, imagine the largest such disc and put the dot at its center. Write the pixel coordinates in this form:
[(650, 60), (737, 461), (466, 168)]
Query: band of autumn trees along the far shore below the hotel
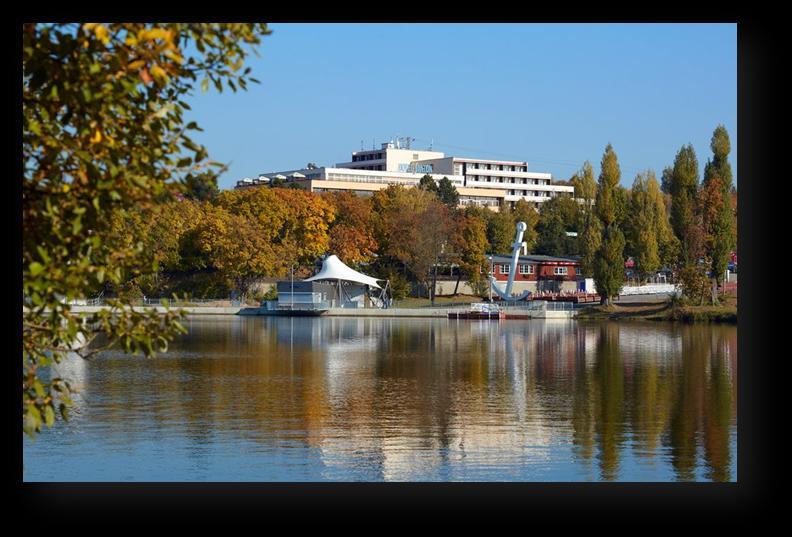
[(206, 243)]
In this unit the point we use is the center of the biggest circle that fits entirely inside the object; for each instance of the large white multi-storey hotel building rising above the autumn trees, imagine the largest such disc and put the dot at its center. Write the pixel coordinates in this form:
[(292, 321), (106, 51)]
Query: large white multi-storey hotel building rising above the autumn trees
[(488, 183)]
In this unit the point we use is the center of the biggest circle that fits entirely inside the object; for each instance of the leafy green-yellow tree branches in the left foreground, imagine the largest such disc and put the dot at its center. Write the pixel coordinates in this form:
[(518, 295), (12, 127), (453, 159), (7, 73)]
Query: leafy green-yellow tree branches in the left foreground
[(103, 132)]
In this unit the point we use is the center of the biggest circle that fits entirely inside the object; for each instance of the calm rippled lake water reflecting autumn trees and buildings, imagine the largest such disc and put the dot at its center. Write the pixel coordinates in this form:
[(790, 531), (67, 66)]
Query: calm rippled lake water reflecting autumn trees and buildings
[(338, 399)]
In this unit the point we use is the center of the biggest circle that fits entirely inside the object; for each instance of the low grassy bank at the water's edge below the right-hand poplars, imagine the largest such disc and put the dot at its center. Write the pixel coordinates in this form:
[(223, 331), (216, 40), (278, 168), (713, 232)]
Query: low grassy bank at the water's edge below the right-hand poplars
[(725, 312)]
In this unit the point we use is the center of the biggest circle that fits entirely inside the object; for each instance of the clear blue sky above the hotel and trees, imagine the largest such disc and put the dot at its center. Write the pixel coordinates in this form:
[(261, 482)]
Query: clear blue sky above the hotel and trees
[(550, 94)]
